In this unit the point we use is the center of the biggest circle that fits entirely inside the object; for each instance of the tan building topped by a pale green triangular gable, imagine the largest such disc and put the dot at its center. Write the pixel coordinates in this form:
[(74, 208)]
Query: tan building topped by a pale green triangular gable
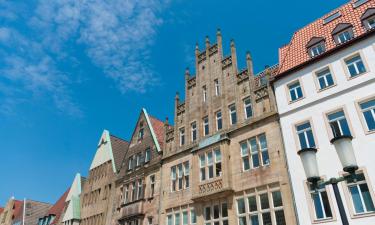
[(98, 191)]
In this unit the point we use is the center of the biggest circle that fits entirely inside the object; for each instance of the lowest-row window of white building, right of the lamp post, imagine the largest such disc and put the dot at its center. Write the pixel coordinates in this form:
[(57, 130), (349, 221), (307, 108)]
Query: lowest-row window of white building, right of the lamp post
[(360, 195)]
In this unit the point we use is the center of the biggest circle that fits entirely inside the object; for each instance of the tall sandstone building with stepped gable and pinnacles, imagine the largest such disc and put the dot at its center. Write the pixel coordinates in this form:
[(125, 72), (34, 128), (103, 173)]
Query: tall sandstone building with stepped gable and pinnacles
[(206, 179)]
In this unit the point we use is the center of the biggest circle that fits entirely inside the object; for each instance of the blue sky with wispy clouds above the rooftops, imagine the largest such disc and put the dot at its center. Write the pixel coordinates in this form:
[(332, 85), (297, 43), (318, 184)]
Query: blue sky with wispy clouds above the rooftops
[(69, 69)]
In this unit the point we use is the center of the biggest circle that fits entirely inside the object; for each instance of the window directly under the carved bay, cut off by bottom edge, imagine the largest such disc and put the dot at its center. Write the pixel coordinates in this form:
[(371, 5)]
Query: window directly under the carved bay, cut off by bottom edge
[(216, 214)]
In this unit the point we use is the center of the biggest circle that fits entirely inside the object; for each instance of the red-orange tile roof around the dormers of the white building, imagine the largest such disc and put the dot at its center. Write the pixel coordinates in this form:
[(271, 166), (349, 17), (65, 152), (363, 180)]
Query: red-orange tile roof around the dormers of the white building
[(295, 53)]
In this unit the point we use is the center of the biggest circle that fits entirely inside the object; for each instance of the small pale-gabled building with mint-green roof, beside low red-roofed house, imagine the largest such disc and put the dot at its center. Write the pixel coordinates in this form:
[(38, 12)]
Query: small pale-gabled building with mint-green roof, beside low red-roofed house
[(72, 209)]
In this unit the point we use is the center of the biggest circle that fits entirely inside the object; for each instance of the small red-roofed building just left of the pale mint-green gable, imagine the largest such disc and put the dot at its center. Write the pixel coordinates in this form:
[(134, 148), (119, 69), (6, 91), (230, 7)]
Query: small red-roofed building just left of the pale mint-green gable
[(54, 214)]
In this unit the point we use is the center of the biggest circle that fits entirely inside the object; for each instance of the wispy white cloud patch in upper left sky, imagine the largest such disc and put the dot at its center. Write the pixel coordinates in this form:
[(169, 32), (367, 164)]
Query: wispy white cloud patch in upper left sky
[(116, 36)]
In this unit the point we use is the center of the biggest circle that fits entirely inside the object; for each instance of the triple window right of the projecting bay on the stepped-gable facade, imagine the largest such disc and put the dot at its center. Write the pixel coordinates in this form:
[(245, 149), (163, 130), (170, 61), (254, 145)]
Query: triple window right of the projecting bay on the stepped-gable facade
[(254, 152)]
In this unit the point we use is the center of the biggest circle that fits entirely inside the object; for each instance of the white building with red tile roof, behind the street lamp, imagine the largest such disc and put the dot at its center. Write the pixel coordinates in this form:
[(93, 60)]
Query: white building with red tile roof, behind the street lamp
[(326, 88)]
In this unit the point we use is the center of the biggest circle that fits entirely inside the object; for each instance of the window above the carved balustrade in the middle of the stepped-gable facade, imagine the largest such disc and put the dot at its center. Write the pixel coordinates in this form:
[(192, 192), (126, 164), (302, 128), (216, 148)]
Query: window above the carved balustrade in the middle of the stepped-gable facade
[(210, 164)]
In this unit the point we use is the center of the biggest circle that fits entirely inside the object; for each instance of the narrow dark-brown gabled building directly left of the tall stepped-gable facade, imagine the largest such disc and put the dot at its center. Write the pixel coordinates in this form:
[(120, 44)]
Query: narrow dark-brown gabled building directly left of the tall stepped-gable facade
[(138, 183)]
